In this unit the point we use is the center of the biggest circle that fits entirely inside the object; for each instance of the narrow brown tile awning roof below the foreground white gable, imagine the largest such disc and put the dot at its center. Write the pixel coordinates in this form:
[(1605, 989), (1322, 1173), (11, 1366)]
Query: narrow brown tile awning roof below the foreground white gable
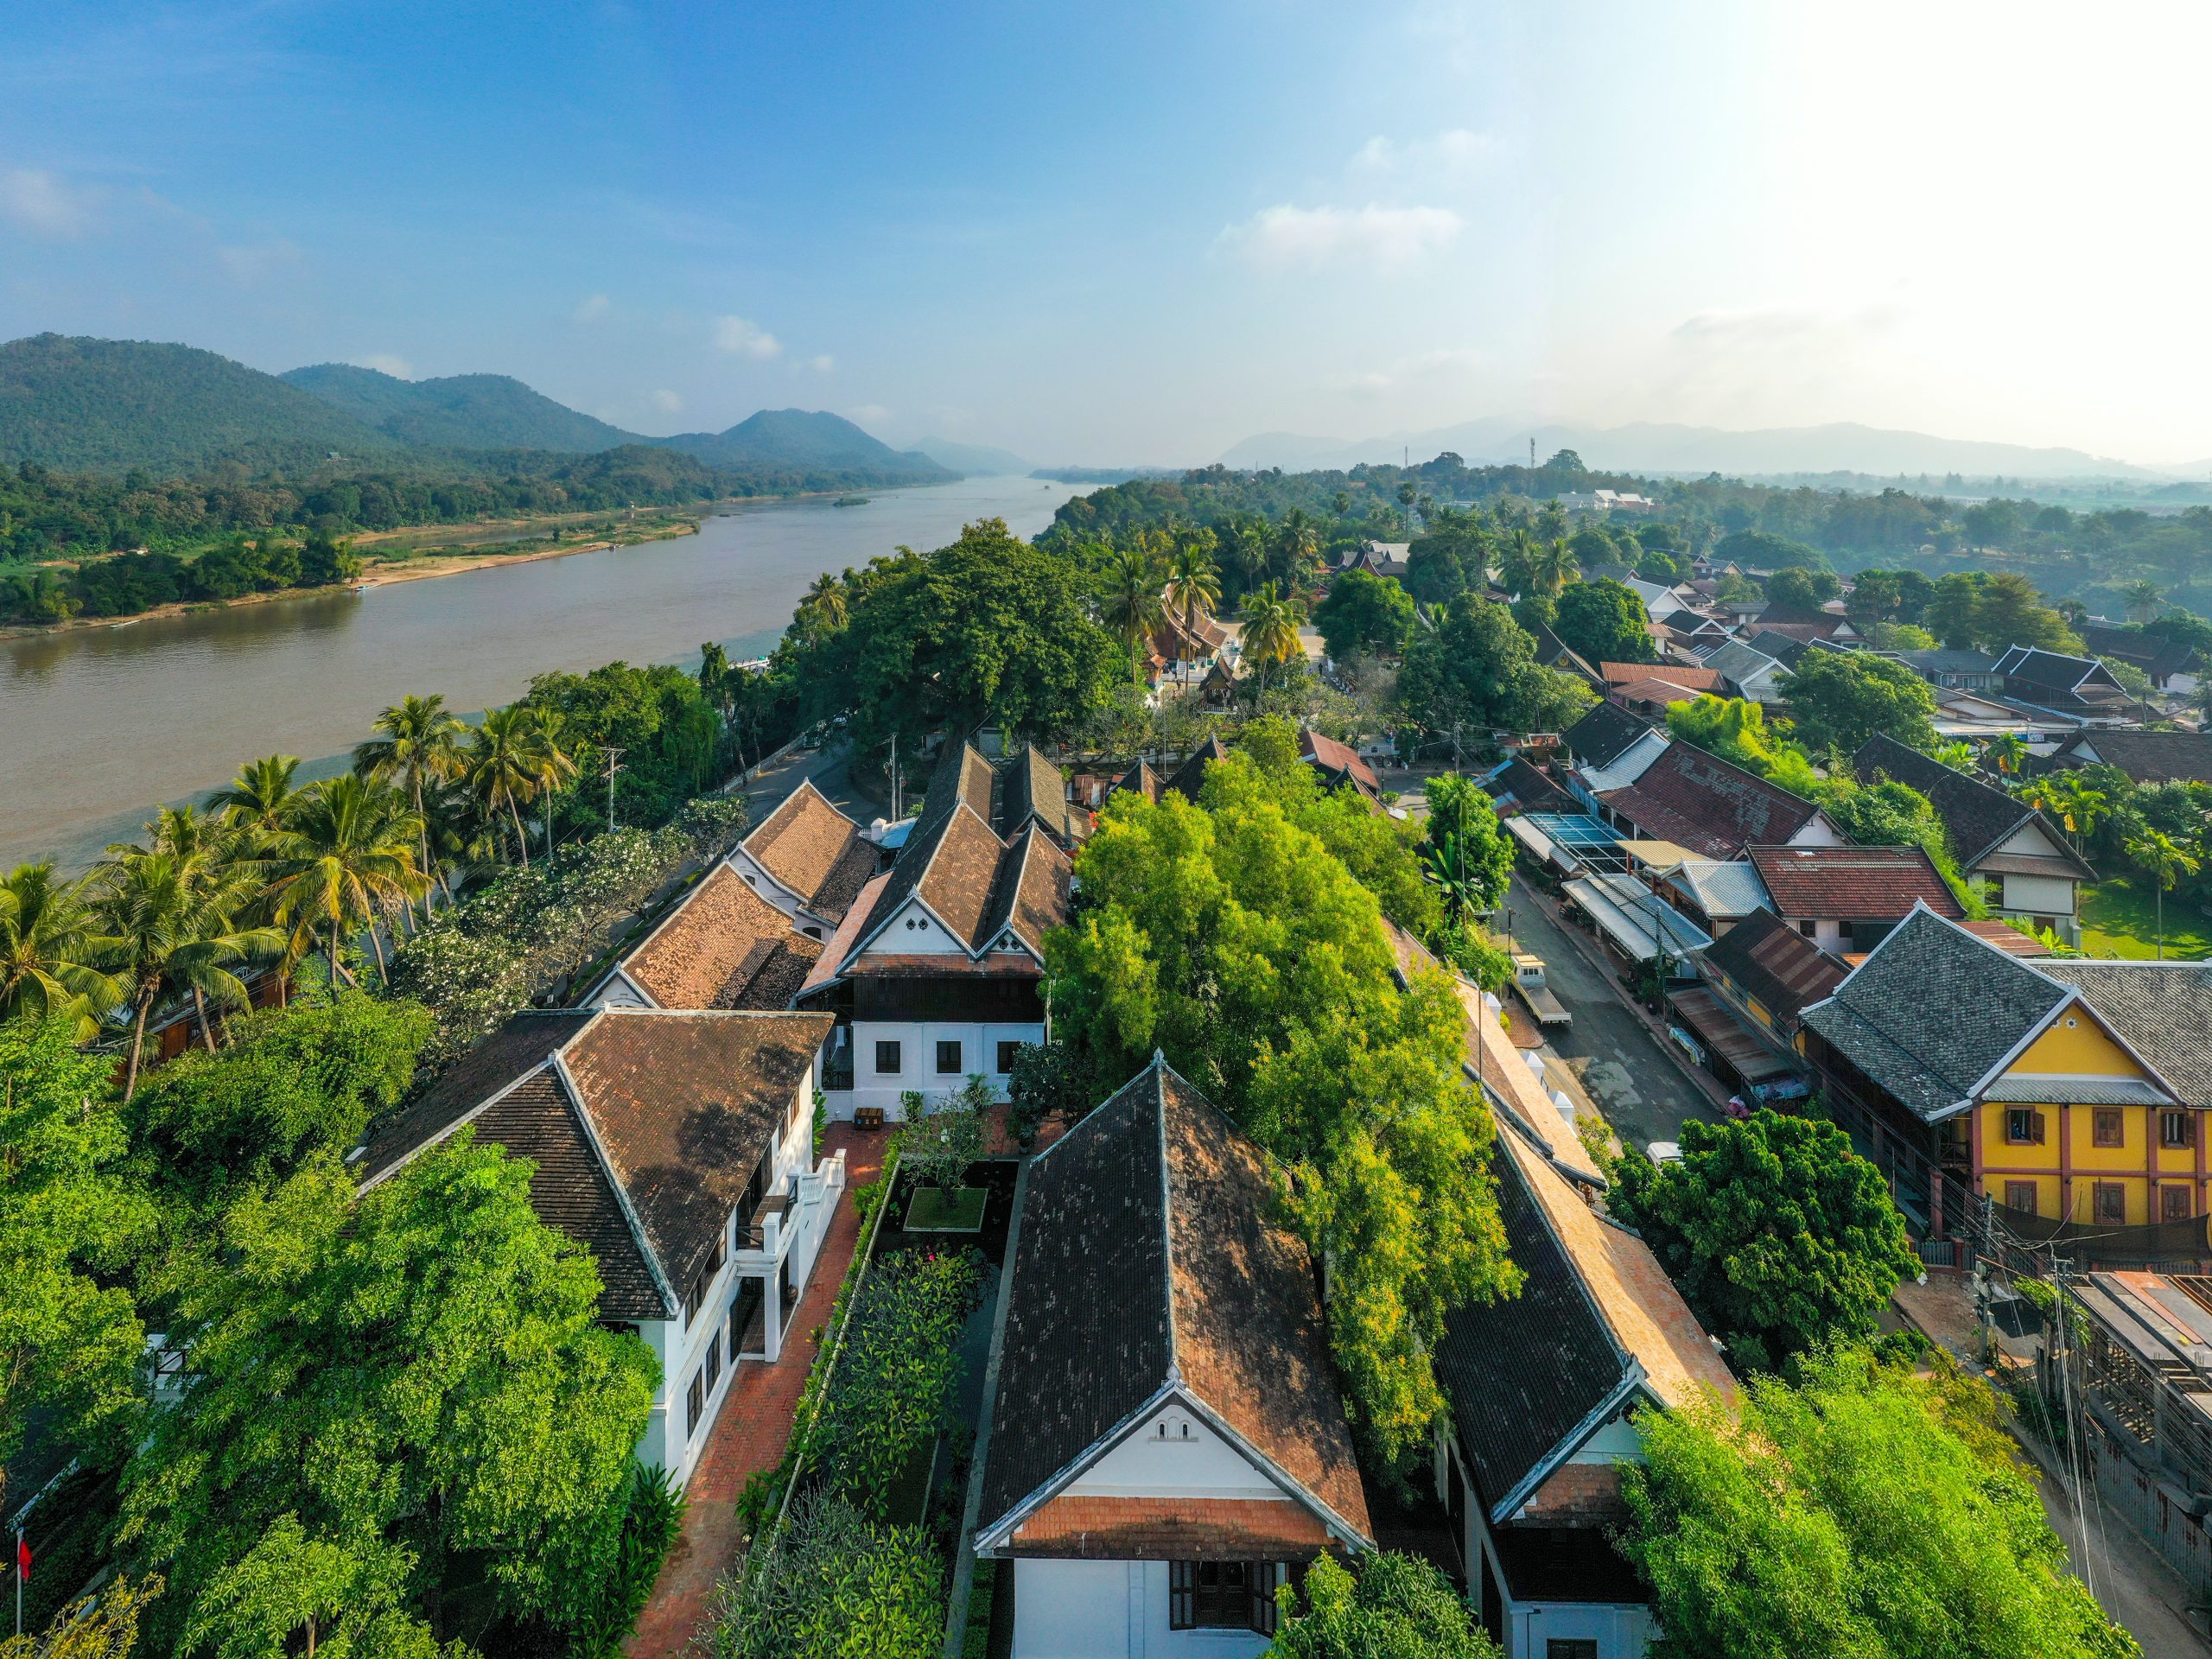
[(1171, 1530)]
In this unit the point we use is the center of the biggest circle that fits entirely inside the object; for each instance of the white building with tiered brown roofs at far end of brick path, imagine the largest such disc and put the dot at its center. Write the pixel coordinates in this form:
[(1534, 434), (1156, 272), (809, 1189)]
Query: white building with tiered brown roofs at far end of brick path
[(937, 972)]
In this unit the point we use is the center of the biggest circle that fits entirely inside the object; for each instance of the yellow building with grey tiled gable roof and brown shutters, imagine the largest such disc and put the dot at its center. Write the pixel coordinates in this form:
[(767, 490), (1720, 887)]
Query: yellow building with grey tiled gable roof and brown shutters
[(2065, 1092)]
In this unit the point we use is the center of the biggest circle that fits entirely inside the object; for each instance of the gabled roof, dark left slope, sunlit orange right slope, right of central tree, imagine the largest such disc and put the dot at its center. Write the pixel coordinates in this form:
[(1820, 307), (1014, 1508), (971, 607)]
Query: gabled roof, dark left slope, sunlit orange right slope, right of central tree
[(1596, 1328)]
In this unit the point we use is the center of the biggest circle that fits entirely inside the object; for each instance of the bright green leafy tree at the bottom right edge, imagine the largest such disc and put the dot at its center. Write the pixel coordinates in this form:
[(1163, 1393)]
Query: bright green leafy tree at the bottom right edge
[(1850, 1516)]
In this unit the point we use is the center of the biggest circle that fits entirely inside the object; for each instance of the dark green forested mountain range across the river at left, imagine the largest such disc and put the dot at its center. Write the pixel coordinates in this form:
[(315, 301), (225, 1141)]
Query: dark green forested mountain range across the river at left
[(171, 410)]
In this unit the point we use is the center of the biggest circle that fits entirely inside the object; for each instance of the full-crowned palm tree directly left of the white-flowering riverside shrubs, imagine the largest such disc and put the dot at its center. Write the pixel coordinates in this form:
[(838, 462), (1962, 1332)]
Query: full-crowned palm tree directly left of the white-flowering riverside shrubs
[(346, 862)]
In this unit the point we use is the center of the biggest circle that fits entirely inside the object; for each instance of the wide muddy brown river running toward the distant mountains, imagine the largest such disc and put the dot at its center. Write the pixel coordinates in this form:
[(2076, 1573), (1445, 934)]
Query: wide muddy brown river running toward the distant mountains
[(103, 724)]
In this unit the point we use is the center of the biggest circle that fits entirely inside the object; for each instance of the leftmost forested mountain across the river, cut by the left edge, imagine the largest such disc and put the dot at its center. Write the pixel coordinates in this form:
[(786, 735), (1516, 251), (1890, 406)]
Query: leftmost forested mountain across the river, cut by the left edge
[(118, 406)]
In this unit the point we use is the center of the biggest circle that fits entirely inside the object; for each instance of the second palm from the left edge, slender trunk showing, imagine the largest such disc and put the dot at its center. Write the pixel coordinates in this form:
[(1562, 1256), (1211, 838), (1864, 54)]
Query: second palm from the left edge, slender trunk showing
[(169, 926)]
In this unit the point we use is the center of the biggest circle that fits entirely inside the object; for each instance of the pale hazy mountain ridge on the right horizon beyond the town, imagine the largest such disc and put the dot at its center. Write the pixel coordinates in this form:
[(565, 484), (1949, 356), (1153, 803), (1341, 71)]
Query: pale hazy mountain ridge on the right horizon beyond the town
[(1839, 448)]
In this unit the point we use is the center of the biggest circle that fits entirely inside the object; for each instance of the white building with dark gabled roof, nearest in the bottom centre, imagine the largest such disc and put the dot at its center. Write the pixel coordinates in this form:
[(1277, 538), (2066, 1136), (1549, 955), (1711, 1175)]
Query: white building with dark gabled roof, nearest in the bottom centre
[(1167, 1443)]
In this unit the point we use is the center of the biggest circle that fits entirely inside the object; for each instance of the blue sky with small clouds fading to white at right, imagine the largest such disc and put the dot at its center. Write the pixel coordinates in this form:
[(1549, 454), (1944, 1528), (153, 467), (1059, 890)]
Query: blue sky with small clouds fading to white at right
[(1140, 233)]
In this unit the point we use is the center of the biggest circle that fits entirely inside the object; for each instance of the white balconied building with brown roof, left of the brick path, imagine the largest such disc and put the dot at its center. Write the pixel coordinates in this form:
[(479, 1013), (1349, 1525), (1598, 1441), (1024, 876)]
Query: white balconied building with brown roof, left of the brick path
[(678, 1147)]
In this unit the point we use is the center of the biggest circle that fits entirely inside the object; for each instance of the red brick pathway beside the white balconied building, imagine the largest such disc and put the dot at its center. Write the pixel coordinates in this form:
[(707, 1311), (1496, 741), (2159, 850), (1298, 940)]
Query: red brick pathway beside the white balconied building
[(751, 1432)]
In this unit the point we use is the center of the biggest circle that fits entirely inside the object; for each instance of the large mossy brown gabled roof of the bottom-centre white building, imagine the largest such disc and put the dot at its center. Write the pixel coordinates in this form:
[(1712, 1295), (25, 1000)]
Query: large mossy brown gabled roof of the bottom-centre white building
[(1151, 1266)]
